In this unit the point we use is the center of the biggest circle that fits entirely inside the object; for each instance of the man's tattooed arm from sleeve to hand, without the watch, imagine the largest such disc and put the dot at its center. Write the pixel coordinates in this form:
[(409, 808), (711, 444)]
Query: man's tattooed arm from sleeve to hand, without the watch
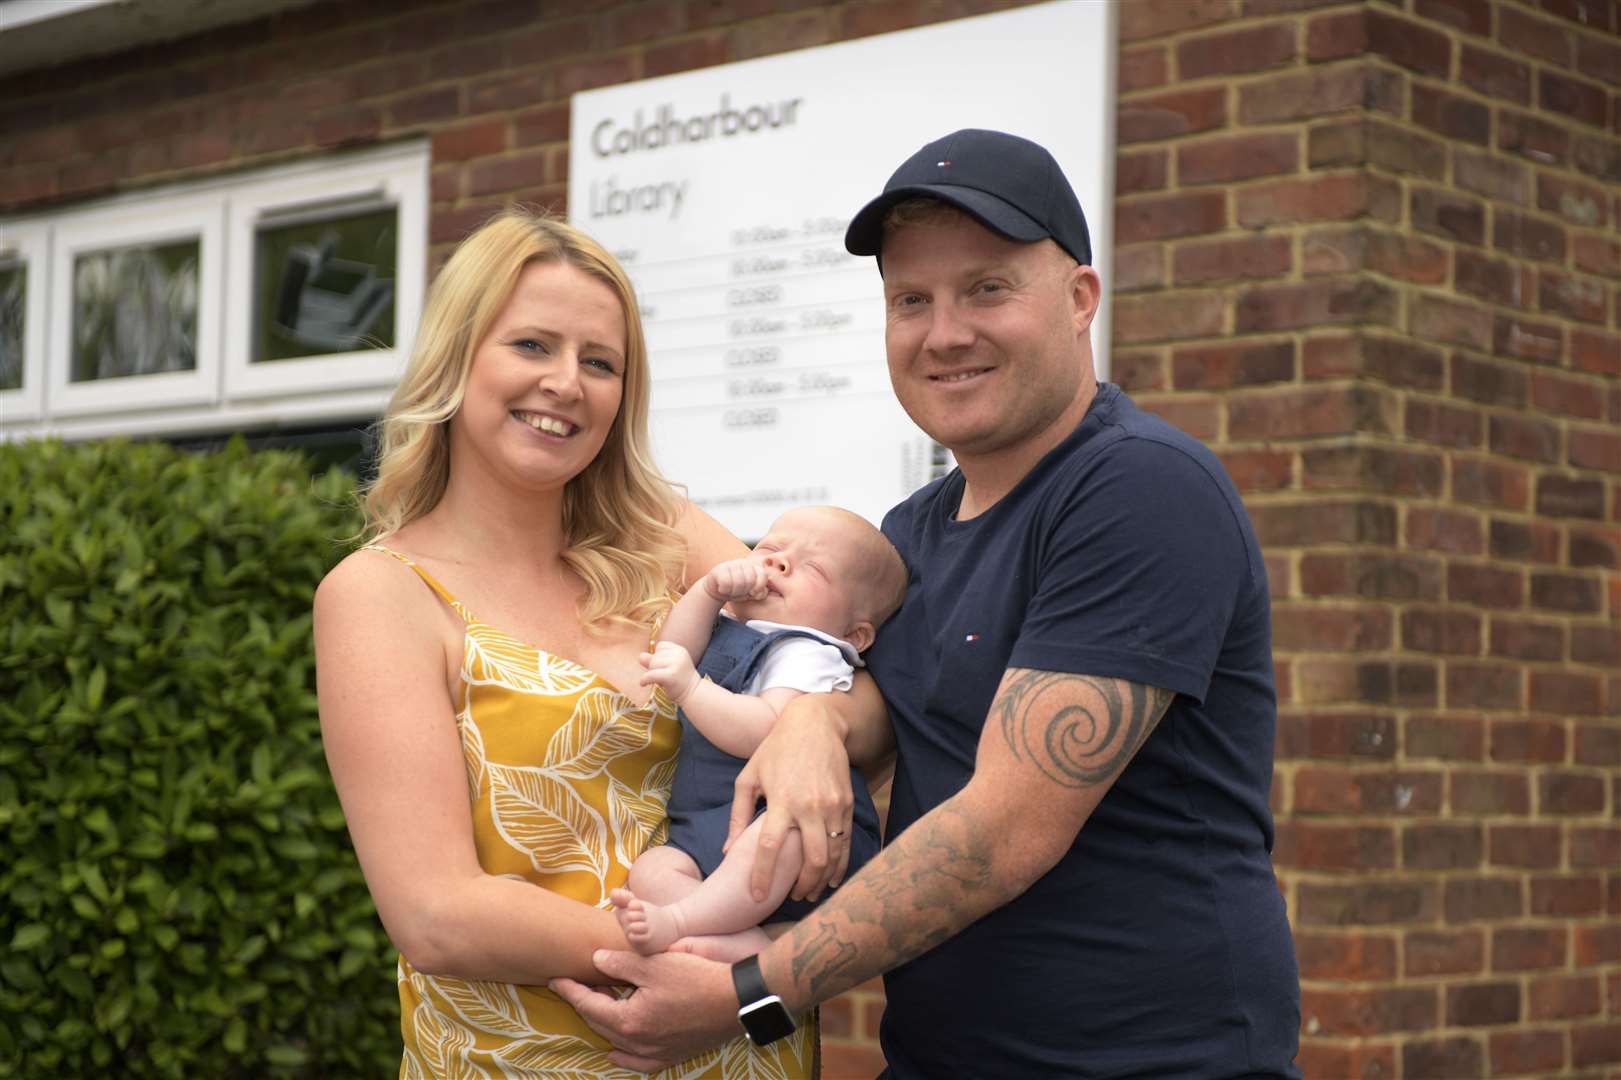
[(1051, 750)]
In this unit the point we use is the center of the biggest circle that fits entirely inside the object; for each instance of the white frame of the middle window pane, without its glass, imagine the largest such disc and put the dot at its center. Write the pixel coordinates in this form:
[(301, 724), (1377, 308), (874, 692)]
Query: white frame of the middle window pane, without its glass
[(150, 223)]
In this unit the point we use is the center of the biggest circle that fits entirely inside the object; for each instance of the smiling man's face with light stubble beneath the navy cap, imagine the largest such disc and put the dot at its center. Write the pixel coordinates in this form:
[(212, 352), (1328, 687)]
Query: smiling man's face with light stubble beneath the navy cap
[(986, 336)]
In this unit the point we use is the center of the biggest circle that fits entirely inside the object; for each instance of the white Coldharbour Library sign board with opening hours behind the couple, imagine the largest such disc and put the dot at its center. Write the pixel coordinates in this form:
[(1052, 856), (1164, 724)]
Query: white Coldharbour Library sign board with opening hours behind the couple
[(727, 192)]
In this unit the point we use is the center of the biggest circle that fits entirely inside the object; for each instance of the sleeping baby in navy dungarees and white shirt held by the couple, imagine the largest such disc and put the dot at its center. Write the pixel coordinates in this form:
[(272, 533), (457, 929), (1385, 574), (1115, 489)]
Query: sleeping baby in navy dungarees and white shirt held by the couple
[(811, 598)]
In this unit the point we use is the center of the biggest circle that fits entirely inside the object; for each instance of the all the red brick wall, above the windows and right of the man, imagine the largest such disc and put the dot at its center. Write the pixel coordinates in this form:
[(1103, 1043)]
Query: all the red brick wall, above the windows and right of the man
[(1366, 249)]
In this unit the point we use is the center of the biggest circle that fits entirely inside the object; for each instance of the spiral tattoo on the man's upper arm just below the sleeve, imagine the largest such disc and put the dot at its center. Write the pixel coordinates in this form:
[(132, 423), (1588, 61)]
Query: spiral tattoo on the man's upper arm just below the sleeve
[(1079, 731)]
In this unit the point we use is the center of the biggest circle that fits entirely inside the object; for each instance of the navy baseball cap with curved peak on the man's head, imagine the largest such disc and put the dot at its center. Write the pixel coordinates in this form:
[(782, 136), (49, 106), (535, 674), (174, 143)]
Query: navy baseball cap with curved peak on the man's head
[(1007, 184)]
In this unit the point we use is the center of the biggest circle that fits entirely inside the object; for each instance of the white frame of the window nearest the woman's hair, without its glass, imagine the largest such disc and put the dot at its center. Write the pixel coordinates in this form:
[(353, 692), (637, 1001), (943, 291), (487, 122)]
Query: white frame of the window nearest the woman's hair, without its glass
[(315, 194)]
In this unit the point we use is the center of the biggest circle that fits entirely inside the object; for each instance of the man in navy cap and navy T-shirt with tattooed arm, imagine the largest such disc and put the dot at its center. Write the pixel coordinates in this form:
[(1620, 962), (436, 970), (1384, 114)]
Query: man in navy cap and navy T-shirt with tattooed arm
[(1077, 878)]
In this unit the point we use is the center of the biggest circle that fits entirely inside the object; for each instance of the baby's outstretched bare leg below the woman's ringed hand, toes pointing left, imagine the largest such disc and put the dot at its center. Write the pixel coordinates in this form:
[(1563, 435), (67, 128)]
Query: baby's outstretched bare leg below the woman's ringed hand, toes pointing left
[(721, 906)]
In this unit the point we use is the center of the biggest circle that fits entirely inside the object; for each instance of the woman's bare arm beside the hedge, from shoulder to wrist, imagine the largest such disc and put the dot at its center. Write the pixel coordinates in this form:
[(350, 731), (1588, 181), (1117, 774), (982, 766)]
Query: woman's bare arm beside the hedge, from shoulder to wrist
[(391, 742)]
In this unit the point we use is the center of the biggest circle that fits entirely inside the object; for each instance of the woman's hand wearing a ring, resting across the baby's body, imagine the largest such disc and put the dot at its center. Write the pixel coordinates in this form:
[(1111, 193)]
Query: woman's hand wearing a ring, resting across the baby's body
[(803, 774)]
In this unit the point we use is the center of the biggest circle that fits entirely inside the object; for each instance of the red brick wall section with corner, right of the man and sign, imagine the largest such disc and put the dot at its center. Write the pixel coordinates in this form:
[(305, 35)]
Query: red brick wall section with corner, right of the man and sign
[(1371, 252)]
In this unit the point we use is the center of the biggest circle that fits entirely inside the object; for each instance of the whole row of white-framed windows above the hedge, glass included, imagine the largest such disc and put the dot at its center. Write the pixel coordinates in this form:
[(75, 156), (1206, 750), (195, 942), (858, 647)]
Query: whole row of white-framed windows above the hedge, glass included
[(286, 296)]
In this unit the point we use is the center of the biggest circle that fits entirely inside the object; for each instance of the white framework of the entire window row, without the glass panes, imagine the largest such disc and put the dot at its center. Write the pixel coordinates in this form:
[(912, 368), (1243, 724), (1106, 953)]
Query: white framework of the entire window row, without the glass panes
[(226, 392)]
